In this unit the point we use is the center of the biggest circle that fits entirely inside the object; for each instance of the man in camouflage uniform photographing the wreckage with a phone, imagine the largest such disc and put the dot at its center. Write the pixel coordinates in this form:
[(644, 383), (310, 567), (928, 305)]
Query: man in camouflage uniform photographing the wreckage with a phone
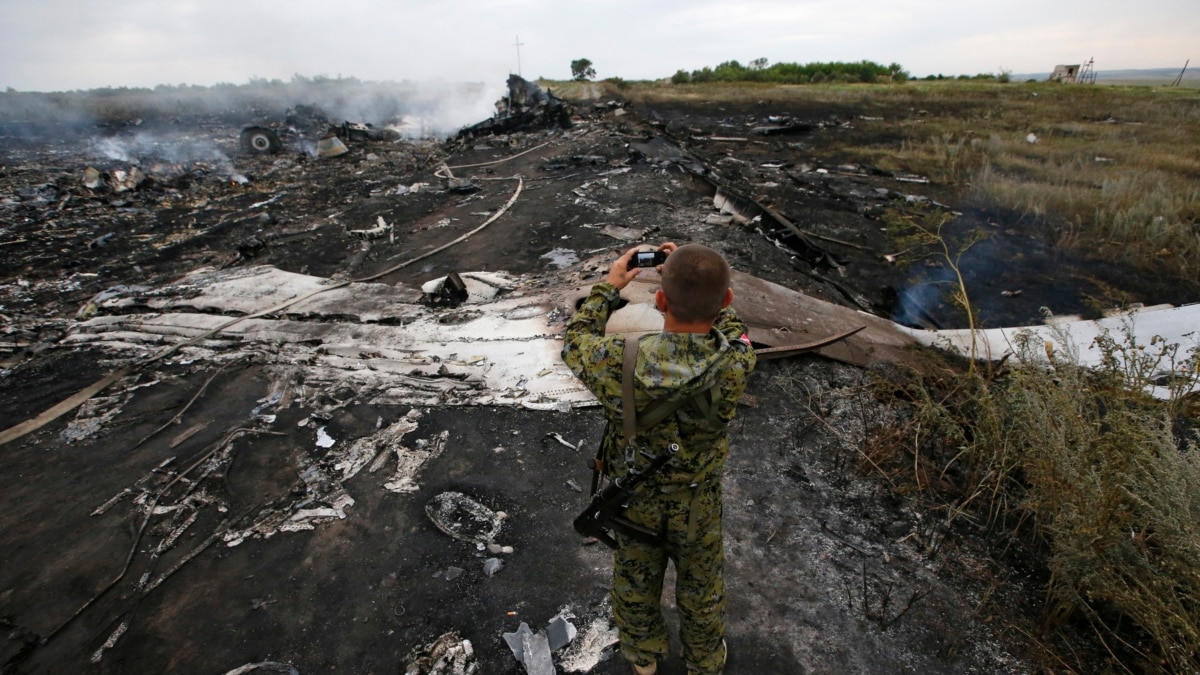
[(704, 350)]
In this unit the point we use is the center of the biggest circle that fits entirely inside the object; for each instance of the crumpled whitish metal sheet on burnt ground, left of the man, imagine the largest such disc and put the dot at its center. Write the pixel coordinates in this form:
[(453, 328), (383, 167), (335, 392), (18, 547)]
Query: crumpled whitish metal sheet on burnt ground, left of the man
[(369, 337)]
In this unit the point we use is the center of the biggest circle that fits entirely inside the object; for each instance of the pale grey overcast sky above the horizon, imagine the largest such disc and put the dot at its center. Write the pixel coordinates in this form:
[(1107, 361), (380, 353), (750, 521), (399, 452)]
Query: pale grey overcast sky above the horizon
[(62, 45)]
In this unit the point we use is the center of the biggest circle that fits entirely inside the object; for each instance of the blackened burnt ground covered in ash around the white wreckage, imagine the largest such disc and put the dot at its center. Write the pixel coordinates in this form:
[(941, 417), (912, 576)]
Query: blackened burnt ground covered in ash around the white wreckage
[(829, 571)]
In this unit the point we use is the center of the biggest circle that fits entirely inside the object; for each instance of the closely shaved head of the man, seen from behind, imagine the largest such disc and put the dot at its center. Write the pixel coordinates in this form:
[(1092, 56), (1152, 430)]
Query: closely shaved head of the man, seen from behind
[(695, 280)]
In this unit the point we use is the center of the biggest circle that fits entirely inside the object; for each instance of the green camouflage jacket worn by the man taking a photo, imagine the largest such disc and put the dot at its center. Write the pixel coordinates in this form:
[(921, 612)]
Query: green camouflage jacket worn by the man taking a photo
[(669, 366)]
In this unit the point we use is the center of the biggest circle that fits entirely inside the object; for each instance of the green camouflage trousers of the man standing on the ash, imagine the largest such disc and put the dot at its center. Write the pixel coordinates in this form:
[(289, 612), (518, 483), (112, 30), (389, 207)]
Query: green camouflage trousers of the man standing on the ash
[(691, 519)]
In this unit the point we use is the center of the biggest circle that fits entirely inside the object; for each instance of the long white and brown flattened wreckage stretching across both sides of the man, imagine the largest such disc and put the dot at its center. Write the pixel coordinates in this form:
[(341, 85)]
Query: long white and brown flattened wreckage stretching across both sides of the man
[(501, 345)]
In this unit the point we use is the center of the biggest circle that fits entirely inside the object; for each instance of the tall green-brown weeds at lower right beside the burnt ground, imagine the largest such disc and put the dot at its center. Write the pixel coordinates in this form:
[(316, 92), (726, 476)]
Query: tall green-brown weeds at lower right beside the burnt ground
[(1106, 477)]
